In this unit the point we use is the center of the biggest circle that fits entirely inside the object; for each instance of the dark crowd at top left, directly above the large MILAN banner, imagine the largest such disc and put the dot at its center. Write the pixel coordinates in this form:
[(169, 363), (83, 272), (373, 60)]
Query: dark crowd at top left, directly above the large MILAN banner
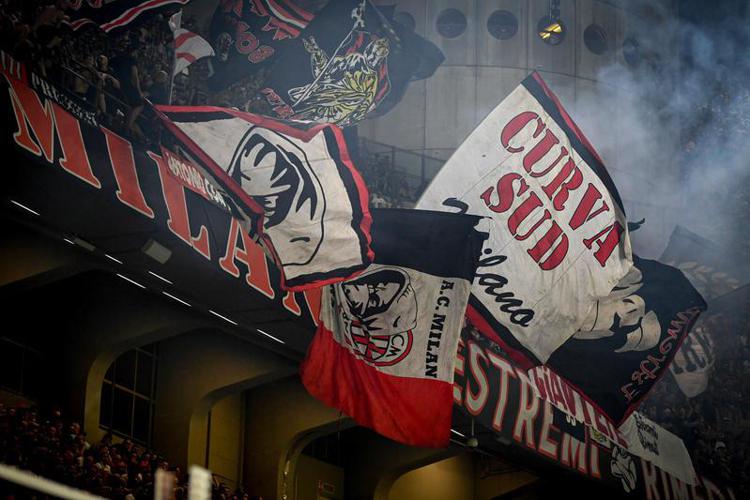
[(113, 75)]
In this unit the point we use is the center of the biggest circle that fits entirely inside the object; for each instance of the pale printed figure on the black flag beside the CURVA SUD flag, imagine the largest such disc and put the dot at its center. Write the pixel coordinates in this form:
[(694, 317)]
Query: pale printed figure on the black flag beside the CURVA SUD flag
[(622, 314)]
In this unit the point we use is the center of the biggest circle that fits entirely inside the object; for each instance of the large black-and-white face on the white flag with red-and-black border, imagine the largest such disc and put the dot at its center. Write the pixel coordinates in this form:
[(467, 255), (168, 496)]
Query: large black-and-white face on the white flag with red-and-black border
[(277, 174)]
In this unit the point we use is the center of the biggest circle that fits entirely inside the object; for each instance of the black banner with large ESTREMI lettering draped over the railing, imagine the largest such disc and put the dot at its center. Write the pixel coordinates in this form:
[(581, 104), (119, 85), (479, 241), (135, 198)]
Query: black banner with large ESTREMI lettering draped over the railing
[(502, 398)]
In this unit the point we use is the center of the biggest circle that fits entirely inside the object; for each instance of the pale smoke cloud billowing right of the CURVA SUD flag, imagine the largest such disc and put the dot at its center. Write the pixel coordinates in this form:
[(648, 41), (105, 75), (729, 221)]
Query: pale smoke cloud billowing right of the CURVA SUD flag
[(674, 130)]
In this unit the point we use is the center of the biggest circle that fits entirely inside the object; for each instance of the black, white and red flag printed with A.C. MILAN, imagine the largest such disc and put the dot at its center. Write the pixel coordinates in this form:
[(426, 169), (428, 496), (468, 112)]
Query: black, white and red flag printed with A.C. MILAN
[(385, 348)]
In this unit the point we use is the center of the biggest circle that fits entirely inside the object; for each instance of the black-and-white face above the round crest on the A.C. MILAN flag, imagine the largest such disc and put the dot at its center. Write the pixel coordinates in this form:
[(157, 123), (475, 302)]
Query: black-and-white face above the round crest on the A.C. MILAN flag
[(381, 302)]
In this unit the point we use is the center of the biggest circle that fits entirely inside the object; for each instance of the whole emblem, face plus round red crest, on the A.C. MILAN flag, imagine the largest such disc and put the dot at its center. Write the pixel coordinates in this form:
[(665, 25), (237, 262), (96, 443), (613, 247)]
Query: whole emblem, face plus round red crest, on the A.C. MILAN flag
[(379, 311)]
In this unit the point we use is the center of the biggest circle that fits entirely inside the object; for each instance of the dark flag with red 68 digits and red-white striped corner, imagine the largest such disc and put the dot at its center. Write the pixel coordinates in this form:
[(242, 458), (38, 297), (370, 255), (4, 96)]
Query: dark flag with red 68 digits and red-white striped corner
[(248, 34)]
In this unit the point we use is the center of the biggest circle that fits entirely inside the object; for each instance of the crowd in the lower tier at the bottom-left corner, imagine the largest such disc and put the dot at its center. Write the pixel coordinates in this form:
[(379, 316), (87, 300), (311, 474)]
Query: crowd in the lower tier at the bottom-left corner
[(57, 449)]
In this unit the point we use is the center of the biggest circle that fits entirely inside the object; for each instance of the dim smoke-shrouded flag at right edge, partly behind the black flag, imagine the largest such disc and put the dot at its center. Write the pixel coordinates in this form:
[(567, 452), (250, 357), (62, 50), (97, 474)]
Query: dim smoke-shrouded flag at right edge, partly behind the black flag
[(714, 272)]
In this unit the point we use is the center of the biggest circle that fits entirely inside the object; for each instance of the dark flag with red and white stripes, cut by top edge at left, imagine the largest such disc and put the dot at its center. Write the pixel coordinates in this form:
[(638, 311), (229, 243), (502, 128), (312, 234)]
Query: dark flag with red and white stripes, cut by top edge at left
[(110, 15)]
